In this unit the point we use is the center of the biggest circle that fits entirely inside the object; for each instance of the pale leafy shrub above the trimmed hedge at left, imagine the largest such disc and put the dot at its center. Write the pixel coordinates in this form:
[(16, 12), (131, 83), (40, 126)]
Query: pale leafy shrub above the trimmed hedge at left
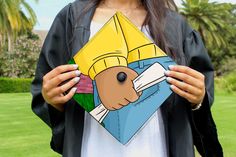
[(21, 62)]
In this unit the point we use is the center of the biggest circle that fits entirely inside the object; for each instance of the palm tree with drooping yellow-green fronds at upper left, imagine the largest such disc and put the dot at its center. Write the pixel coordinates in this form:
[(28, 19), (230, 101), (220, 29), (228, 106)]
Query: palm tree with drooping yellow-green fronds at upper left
[(15, 16)]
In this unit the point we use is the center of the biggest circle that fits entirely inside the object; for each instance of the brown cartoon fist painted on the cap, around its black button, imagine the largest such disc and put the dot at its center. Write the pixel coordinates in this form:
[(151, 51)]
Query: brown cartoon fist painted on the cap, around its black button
[(114, 94)]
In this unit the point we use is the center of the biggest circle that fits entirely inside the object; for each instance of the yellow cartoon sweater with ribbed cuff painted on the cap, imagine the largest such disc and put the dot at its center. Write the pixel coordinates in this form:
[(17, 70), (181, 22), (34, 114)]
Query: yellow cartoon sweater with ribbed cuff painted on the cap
[(118, 43)]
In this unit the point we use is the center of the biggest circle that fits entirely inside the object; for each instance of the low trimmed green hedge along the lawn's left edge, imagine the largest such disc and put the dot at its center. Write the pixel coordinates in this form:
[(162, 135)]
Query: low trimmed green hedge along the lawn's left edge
[(15, 85)]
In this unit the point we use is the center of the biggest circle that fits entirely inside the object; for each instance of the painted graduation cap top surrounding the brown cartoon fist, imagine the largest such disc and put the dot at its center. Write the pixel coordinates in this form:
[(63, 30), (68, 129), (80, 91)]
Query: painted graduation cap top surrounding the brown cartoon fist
[(120, 43)]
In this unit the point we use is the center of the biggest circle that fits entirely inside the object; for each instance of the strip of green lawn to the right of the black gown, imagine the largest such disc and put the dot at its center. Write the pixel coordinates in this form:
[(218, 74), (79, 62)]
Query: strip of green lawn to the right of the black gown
[(224, 113)]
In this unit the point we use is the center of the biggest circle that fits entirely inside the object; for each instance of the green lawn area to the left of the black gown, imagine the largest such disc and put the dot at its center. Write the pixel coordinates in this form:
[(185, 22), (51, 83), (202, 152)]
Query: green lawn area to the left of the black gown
[(22, 134)]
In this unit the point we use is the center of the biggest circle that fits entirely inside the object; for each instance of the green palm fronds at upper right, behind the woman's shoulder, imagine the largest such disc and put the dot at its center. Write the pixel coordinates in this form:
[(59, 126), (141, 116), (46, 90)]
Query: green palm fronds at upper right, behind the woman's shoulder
[(209, 19)]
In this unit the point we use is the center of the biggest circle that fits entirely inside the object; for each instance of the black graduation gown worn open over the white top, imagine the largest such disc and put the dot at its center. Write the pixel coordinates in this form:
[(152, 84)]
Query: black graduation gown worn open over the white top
[(68, 34)]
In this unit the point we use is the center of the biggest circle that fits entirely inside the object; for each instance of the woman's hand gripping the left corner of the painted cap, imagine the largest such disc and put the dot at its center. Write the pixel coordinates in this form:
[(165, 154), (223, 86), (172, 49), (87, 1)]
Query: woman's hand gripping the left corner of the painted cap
[(57, 82)]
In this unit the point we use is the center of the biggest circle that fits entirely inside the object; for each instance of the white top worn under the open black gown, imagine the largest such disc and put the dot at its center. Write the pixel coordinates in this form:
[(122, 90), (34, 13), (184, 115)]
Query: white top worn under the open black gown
[(149, 141)]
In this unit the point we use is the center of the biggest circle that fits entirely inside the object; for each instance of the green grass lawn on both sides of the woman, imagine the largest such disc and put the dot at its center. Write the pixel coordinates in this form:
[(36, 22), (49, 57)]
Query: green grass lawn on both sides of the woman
[(22, 134)]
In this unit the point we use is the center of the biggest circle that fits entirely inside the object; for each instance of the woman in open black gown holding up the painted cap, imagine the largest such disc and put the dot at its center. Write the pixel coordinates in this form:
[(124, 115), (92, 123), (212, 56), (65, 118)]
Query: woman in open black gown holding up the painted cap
[(183, 119)]
